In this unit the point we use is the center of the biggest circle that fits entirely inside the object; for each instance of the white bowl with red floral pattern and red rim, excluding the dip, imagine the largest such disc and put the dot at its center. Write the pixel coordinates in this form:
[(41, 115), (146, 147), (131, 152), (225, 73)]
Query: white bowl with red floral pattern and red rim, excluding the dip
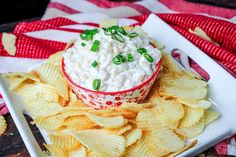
[(99, 99)]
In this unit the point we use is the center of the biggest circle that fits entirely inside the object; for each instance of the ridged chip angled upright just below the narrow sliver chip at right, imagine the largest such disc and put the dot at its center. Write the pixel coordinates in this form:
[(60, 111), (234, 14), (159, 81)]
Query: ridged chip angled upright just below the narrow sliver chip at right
[(191, 117)]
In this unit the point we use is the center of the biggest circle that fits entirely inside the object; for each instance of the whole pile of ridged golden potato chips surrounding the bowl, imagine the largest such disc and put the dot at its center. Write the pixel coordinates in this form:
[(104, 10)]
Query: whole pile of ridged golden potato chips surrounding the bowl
[(174, 111)]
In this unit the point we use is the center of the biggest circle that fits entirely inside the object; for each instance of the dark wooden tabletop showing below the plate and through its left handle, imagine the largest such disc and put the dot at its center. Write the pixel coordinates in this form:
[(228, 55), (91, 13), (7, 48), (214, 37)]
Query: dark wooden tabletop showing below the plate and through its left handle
[(11, 144)]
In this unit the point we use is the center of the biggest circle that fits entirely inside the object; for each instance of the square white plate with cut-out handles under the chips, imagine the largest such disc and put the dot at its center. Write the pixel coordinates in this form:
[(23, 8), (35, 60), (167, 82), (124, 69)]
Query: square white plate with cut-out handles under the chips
[(222, 92)]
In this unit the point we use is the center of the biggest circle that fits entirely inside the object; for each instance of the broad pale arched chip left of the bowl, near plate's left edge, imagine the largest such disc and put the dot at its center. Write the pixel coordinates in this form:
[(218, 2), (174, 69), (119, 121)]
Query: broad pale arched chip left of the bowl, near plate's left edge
[(37, 91)]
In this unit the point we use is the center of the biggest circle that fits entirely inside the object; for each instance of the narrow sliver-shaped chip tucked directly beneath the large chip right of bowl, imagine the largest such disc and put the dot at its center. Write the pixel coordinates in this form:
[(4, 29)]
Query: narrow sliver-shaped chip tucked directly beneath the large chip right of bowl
[(194, 103)]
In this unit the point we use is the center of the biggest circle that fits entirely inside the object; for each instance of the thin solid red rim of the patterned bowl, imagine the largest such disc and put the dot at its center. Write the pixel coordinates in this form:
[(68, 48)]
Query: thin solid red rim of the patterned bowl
[(111, 93)]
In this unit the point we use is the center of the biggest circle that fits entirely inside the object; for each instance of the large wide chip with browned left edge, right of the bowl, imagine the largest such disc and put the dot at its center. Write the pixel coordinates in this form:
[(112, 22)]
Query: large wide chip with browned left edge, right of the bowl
[(182, 85)]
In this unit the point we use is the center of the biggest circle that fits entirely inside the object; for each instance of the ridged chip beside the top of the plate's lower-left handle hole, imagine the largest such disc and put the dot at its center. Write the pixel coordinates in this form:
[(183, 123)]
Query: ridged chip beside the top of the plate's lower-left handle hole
[(49, 123)]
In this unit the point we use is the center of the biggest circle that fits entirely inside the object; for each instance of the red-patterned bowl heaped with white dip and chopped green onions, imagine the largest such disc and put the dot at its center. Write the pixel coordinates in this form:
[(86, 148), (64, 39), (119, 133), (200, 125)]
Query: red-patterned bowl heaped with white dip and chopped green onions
[(110, 66)]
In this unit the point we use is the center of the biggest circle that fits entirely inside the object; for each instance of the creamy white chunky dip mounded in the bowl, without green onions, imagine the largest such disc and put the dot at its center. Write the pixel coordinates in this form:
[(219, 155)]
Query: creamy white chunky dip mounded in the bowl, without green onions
[(79, 58)]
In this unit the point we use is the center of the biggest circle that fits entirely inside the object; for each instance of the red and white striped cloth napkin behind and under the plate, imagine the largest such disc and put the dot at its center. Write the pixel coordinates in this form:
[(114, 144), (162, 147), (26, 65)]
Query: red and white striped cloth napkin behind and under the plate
[(65, 19)]
